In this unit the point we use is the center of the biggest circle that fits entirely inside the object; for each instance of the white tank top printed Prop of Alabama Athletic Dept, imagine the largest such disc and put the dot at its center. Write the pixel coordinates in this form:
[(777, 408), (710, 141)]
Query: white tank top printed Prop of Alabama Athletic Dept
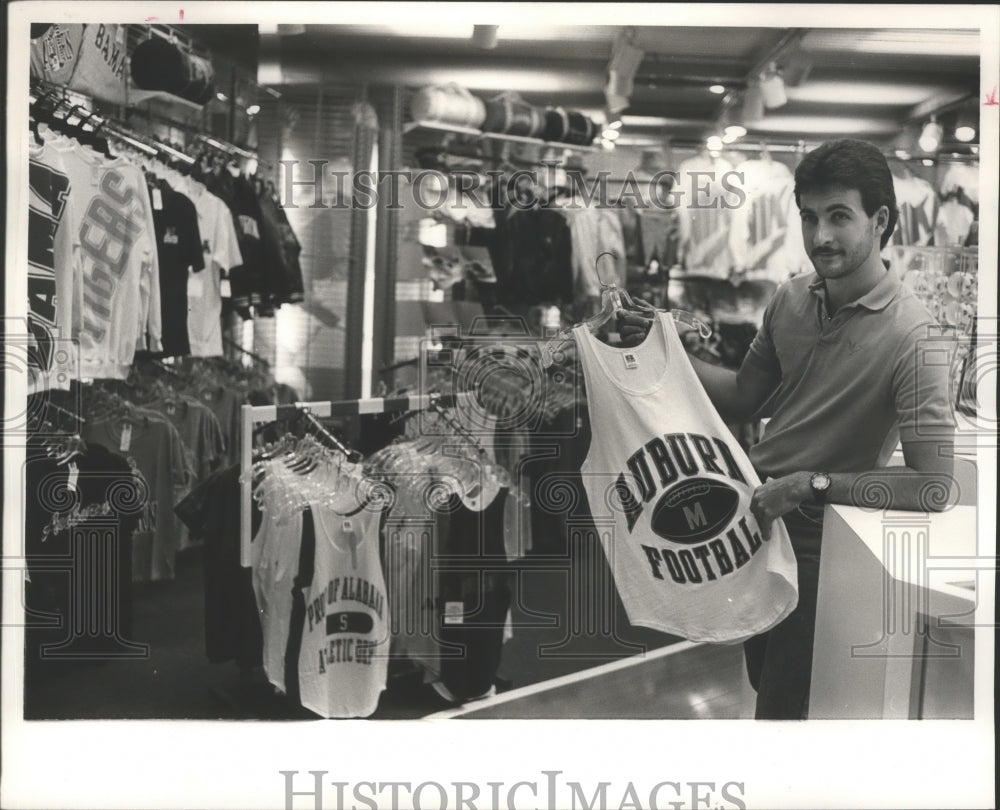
[(339, 640)]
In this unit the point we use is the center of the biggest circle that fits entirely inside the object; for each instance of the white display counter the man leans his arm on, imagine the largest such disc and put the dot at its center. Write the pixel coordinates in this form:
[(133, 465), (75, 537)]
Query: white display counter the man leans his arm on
[(894, 624)]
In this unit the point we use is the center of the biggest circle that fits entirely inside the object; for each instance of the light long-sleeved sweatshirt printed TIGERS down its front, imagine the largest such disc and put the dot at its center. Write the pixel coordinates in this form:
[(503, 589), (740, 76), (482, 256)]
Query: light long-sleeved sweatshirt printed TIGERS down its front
[(118, 268)]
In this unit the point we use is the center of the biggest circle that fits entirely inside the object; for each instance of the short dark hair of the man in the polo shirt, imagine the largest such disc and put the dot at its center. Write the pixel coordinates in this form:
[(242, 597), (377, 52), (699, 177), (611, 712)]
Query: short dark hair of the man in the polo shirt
[(850, 164)]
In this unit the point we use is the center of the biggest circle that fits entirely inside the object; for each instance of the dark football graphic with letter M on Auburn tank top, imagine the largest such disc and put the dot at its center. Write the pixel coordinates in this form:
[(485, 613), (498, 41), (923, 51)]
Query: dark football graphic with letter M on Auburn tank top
[(695, 510)]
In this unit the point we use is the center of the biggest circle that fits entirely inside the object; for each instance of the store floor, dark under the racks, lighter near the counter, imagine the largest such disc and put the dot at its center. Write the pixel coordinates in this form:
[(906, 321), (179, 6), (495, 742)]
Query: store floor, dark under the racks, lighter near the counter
[(567, 619)]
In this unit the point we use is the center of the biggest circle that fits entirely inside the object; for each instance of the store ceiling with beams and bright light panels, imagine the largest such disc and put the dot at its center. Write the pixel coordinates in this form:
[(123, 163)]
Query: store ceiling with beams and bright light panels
[(841, 82)]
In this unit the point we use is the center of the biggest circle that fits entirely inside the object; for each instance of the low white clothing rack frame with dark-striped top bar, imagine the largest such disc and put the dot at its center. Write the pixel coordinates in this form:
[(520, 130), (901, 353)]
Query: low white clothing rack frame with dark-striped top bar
[(256, 414)]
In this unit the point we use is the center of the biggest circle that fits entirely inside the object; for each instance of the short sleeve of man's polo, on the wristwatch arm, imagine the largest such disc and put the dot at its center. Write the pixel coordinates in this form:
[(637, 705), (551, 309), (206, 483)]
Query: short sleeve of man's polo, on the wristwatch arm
[(921, 384)]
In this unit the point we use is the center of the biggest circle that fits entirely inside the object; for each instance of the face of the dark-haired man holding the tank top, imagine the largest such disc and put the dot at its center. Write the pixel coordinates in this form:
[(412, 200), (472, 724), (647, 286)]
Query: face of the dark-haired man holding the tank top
[(837, 232)]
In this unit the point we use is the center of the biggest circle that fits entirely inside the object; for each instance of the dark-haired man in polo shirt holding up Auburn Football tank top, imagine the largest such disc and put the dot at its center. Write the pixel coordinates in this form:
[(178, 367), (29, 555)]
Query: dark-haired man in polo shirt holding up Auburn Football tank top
[(837, 366)]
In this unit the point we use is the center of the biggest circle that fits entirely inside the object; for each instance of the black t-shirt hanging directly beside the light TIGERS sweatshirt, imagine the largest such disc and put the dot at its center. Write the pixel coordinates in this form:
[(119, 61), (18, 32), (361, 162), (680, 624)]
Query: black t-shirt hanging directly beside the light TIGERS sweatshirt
[(178, 246)]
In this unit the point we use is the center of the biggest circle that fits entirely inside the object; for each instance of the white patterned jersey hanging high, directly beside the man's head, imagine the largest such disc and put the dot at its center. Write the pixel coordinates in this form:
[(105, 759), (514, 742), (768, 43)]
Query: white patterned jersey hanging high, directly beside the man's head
[(759, 233)]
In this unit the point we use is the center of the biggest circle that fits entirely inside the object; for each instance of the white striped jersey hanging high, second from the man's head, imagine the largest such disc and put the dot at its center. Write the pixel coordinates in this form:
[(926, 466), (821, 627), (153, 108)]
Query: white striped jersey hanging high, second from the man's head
[(705, 222)]
